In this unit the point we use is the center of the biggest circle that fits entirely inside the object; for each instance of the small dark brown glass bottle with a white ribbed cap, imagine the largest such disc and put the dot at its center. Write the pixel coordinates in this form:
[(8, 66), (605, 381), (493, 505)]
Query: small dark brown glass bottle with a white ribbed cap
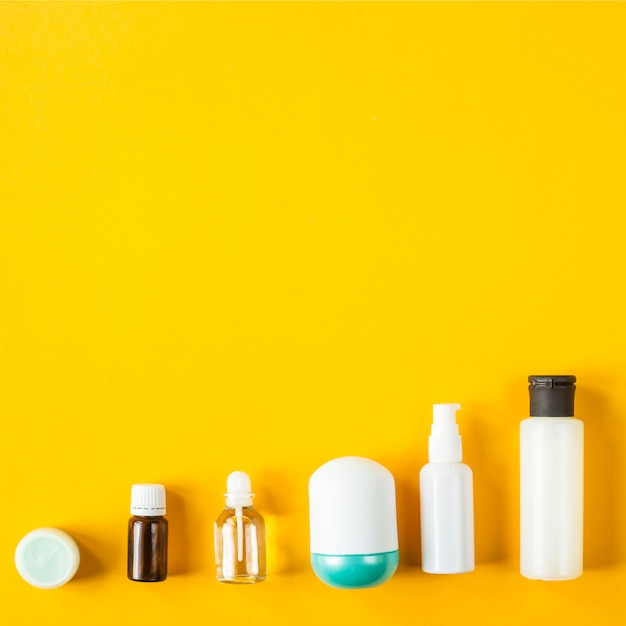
[(147, 534)]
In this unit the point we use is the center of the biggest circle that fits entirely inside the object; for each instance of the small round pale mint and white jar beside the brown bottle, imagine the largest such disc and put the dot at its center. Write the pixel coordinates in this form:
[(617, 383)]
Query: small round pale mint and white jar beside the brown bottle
[(47, 558)]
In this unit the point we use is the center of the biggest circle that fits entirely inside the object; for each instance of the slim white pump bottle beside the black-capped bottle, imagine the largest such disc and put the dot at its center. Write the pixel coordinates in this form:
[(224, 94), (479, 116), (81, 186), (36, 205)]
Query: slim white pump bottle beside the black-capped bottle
[(446, 499)]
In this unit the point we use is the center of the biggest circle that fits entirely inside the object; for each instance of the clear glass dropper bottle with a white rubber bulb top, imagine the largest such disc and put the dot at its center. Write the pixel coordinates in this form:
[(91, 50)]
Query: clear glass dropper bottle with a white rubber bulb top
[(240, 535)]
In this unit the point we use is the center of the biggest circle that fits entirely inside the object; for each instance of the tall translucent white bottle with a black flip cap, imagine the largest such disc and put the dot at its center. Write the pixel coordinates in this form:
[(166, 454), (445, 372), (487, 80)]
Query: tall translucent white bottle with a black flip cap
[(551, 487)]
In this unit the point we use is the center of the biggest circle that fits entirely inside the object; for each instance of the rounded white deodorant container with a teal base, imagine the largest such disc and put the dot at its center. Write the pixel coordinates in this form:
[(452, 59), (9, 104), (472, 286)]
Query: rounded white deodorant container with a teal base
[(354, 533)]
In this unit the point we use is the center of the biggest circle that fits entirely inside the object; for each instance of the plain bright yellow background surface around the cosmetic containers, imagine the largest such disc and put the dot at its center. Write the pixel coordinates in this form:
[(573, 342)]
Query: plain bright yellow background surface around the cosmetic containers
[(261, 236)]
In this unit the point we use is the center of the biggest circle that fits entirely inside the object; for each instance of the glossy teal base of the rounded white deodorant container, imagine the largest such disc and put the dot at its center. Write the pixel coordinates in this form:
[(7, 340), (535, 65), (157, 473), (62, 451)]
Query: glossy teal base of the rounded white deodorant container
[(355, 571)]
